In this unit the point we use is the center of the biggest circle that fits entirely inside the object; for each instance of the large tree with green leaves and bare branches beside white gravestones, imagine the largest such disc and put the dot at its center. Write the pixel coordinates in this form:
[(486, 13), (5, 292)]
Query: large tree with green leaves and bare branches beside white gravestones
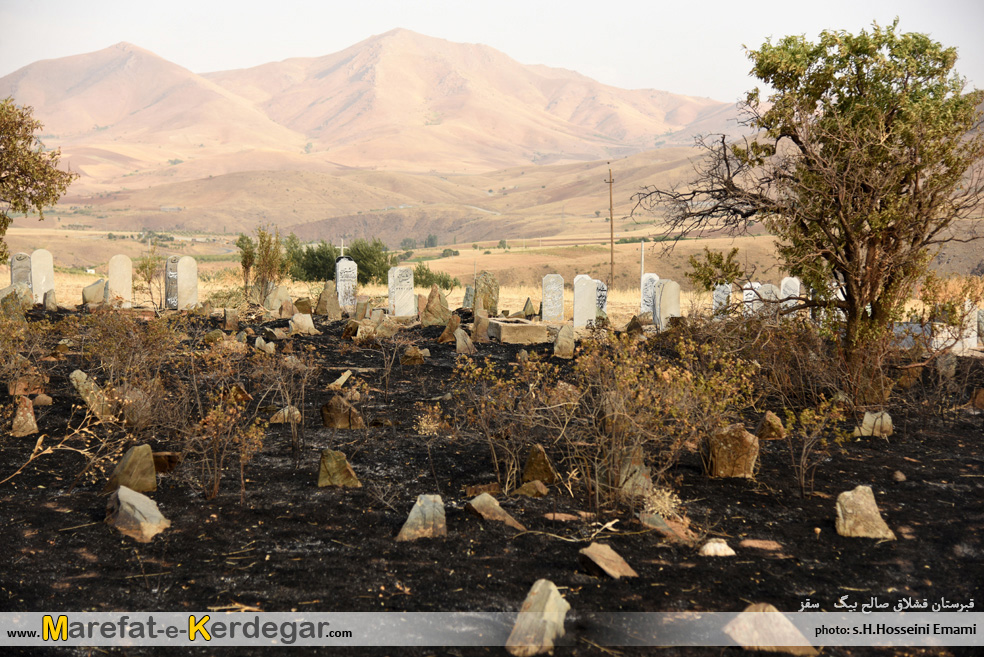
[(868, 159)]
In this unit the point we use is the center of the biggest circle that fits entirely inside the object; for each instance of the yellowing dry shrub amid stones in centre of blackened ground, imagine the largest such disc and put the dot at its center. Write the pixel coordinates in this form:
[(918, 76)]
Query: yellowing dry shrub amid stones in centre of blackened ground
[(622, 398)]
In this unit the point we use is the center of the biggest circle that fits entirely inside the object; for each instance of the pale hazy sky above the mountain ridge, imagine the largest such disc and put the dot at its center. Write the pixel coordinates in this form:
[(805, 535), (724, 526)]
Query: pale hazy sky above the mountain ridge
[(684, 47)]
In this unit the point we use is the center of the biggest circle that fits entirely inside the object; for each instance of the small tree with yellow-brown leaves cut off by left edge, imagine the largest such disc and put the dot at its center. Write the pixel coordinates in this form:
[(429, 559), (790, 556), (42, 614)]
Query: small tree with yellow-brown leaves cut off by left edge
[(30, 180)]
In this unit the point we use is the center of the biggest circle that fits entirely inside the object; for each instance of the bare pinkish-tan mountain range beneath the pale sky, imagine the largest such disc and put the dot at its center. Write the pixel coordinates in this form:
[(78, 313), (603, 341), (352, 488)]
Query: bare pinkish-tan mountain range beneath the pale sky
[(439, 117)]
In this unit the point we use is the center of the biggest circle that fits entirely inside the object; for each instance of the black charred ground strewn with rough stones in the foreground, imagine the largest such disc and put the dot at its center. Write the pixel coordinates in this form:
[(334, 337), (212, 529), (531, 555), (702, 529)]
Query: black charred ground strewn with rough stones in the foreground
[(293, 546)]
